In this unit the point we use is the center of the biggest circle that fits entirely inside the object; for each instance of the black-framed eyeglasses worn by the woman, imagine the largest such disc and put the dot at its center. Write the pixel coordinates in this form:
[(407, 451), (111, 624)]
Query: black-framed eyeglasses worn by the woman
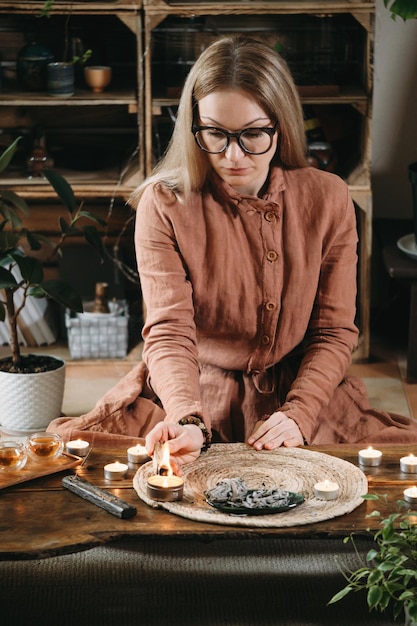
[(251, 140)]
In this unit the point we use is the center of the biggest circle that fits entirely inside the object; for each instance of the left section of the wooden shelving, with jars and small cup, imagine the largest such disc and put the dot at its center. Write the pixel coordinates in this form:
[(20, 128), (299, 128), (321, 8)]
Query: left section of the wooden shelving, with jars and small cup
[(107, 125)]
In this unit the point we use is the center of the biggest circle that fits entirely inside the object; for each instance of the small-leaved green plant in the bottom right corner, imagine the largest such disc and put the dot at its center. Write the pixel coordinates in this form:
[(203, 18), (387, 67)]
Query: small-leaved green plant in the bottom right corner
[(389, 572)]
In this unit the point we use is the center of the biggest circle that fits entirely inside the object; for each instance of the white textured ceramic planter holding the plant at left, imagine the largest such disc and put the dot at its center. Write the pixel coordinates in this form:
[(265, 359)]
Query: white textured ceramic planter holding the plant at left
[(28, 402)]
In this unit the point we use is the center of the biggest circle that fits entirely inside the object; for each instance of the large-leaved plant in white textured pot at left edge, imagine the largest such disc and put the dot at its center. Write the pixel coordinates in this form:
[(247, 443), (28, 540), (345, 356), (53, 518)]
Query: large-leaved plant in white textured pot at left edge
[(21, 276)]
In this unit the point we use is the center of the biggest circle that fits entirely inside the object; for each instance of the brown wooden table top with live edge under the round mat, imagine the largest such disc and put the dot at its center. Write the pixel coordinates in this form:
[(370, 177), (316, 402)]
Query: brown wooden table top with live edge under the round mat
[(41, 519)]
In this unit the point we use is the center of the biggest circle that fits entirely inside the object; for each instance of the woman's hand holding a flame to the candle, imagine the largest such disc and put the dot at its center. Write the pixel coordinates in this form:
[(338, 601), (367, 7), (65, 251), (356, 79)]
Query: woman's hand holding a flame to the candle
[(185, 442)]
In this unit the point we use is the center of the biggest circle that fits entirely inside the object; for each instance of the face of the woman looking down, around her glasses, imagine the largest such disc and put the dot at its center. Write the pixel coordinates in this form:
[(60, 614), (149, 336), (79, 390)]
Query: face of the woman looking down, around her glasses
[(233, 110)]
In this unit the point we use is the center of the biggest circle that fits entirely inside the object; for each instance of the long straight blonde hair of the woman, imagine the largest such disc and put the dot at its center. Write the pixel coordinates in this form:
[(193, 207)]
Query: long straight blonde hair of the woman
[(241, 63)]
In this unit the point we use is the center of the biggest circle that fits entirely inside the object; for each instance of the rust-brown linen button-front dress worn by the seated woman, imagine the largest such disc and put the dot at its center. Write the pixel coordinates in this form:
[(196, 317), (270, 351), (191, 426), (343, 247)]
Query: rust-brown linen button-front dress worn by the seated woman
[(250, 306)]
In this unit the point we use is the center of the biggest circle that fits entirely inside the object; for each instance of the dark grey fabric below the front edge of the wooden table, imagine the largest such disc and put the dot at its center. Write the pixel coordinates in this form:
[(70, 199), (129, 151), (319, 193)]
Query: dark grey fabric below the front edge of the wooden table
[(166, 582)]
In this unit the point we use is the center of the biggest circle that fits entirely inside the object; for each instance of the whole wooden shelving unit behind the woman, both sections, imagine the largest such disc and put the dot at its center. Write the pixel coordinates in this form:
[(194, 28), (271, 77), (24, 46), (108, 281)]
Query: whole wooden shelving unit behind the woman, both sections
[(163, 38)]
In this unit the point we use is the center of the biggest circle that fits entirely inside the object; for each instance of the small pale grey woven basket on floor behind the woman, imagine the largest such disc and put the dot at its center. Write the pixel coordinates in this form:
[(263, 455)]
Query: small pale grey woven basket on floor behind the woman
[(98, 335)]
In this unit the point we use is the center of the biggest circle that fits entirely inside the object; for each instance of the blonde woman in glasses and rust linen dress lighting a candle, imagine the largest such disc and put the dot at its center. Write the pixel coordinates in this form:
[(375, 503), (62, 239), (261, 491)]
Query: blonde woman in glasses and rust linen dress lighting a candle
[(247, 259)]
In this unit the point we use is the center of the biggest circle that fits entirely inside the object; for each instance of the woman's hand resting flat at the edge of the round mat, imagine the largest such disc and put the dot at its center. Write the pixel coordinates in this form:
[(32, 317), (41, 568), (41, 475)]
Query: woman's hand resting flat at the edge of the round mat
[(278, 430)]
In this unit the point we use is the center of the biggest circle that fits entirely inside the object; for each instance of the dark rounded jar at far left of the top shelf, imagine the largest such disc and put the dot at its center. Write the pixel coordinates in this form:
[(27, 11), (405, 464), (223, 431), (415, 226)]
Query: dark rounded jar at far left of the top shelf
[(31, 64)]
